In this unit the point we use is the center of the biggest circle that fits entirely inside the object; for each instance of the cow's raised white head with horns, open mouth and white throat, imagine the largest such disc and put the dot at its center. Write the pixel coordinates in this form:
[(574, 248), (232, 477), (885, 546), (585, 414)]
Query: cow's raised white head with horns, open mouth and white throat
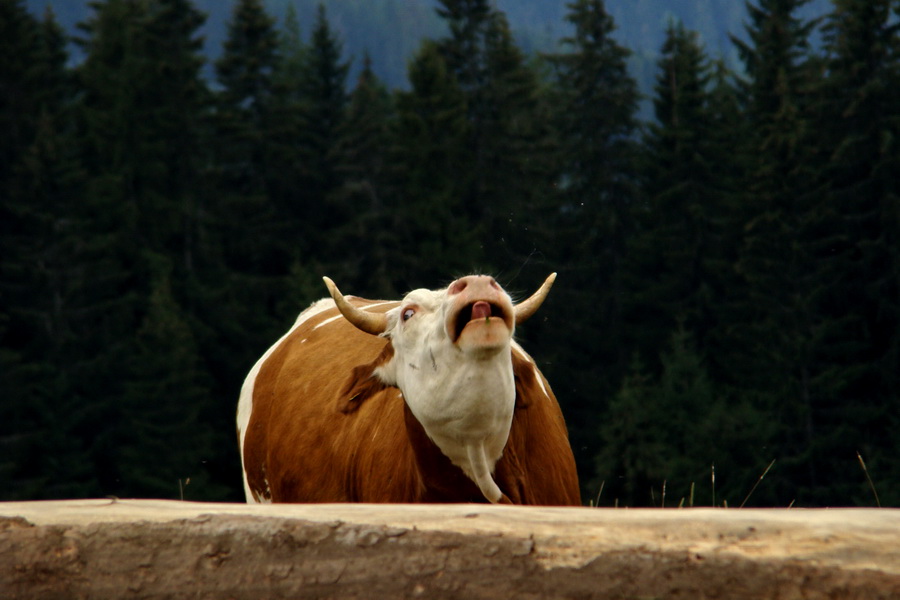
[(452, 361)]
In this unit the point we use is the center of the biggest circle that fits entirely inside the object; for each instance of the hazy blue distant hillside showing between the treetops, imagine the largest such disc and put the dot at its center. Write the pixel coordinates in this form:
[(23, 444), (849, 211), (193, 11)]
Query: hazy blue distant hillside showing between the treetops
[(391, 30)]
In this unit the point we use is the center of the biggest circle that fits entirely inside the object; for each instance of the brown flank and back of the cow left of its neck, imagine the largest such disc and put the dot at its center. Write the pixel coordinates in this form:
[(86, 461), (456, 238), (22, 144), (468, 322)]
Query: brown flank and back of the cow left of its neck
[(307, 439)]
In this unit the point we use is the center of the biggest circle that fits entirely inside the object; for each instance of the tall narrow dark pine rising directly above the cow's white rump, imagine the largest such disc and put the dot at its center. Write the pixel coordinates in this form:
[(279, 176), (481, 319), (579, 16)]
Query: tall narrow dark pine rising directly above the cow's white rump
[(246, 216)]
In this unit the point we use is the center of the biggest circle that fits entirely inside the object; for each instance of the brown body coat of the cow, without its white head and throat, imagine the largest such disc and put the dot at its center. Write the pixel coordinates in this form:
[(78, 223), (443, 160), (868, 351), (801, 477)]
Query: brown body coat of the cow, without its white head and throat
[(324, 429)]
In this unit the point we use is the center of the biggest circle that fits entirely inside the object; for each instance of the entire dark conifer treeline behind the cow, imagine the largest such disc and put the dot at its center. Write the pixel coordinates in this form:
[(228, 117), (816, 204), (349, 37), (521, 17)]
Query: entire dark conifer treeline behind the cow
[(729, 289)]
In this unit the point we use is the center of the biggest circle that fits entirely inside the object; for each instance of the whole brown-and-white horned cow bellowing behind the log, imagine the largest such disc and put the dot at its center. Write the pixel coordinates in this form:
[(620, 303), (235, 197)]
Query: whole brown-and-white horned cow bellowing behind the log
[(428, 399)]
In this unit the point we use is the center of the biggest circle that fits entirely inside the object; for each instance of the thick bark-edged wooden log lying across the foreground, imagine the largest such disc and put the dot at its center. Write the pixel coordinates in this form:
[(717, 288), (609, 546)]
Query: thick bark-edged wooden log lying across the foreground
[(165, 549)]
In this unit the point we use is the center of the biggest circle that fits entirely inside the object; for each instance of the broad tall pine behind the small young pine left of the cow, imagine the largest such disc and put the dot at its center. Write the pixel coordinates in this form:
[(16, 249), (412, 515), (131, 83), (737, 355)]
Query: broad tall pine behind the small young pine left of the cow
[(141, 116)]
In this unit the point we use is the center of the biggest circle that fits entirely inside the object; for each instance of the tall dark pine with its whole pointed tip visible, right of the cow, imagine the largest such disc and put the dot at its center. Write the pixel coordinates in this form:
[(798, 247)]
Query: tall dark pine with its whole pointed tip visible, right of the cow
[(681, 259)]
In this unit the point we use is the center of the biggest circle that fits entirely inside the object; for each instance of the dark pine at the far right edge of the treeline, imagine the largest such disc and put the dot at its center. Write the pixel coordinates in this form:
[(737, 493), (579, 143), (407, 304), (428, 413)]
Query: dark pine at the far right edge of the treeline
[(857, 249)]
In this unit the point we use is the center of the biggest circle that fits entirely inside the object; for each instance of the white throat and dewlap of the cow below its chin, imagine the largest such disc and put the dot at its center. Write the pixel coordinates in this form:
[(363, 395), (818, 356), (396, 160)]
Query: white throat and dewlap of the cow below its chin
[(466, 408)]
